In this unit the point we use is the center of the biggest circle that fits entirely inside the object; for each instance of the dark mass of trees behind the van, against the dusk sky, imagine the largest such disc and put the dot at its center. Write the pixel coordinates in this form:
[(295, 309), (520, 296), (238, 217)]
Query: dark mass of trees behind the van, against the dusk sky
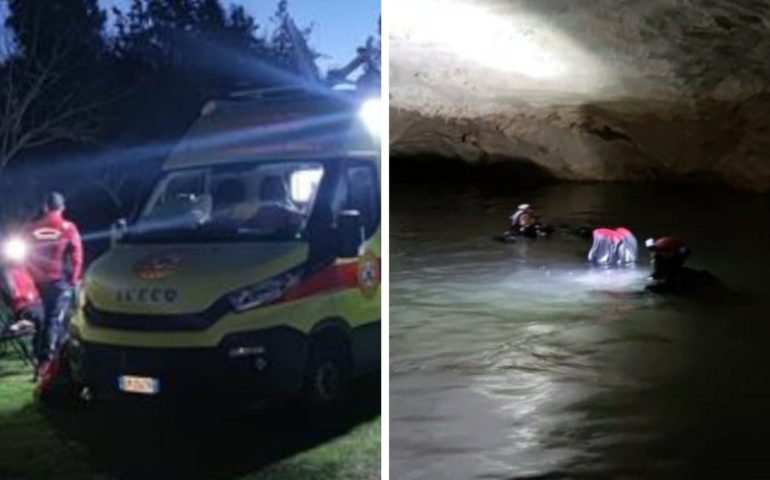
[(132, 90)]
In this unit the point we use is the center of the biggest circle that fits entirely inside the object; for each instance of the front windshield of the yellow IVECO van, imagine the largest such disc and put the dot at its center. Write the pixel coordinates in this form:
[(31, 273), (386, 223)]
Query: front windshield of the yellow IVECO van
[(270, 200)]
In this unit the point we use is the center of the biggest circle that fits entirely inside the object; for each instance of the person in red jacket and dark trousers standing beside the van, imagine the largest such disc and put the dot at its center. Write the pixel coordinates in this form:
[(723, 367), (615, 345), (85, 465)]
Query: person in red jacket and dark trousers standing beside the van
[(56, 264)]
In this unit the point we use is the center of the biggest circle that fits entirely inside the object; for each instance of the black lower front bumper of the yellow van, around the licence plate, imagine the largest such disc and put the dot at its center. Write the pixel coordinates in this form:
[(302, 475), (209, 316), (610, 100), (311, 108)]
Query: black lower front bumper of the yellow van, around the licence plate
[(261, 365)]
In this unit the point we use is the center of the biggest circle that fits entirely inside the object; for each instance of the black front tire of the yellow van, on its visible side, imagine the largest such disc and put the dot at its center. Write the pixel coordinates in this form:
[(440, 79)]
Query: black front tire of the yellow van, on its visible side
[(328, 372)]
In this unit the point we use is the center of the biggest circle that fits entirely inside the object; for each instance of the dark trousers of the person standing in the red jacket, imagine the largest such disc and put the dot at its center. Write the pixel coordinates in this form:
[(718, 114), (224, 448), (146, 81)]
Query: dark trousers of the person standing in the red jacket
[(57, 301)]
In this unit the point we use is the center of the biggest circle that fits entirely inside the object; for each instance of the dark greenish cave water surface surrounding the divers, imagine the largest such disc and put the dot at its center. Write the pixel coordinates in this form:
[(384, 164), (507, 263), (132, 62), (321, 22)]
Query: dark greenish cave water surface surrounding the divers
[(521, 360)]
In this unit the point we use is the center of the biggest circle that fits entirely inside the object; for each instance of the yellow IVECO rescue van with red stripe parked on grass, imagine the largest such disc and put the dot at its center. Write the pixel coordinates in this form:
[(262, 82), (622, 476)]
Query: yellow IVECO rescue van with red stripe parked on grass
[(253, 266)]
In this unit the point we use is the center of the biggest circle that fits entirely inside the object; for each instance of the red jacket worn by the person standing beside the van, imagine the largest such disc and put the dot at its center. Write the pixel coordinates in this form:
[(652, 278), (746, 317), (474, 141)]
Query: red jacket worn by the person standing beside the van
[(56, 252)]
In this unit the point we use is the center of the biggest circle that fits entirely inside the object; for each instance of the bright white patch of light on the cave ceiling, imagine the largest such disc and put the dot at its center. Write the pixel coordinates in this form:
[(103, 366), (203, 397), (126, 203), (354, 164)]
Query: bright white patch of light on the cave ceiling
[(477, 33)]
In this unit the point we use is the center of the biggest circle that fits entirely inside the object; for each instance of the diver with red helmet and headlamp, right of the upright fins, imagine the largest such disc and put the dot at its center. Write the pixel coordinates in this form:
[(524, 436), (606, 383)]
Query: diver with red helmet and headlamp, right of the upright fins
[(669, 275)]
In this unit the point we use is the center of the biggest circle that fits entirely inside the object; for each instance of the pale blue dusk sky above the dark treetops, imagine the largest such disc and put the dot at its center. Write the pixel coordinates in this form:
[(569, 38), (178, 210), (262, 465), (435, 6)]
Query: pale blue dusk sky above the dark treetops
[(340, 25)]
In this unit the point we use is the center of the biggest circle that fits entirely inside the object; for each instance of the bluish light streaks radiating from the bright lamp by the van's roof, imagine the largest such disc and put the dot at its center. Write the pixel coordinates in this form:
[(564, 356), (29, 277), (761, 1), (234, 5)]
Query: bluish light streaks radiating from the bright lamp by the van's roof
[(218, 59)]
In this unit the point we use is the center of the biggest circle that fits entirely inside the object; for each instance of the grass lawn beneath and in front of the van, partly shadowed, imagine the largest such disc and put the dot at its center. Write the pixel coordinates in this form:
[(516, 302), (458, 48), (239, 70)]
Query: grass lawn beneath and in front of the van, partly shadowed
[(112, 441)]
